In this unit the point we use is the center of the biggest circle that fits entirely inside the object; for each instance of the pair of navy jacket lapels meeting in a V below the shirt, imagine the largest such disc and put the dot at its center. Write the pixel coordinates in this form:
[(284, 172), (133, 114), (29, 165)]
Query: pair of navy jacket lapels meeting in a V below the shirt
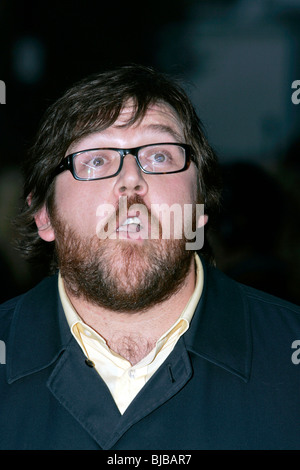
[(84, 394)]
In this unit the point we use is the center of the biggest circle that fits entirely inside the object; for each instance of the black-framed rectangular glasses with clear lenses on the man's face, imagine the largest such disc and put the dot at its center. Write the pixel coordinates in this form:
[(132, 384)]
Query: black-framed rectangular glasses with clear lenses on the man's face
[(101, 163)]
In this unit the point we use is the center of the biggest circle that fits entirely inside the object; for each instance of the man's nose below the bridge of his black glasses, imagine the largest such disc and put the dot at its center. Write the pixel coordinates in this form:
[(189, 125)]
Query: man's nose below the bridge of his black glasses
[(130, 180)]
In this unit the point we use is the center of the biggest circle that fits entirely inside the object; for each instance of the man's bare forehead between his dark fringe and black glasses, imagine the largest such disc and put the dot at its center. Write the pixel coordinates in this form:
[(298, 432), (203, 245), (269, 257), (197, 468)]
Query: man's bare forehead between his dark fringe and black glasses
[(160, 122)]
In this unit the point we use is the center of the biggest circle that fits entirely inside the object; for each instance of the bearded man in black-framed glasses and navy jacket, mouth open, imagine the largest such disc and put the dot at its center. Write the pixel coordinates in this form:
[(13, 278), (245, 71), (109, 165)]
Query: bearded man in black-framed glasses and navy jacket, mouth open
[(137, 341)]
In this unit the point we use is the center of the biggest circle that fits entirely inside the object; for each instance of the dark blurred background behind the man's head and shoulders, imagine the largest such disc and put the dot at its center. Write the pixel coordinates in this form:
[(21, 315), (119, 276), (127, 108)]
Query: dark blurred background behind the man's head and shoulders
[(238, 59)]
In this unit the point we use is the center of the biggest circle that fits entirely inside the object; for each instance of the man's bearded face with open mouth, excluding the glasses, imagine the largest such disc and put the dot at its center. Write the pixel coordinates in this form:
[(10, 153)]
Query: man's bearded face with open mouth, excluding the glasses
[(129, 271)]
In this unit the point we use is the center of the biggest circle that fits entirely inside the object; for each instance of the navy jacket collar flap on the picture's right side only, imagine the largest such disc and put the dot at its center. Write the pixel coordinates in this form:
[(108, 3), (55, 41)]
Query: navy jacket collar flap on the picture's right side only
[(220, 331)]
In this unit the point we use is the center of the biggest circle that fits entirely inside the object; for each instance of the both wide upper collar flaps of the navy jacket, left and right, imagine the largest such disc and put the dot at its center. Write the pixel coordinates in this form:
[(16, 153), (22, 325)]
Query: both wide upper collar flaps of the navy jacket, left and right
[(219, 332)]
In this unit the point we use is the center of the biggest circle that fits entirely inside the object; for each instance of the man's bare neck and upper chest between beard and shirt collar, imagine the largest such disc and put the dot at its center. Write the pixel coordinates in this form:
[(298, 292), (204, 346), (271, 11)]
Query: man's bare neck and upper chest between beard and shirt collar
[(134, 335)]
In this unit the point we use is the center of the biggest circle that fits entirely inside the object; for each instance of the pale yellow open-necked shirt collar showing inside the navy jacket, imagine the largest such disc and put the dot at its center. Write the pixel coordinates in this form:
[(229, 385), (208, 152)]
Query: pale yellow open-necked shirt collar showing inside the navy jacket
[(124, 380)]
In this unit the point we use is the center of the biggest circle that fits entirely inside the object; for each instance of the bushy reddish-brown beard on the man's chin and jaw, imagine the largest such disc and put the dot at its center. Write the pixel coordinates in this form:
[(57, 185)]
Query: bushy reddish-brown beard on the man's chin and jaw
[(118, 275)]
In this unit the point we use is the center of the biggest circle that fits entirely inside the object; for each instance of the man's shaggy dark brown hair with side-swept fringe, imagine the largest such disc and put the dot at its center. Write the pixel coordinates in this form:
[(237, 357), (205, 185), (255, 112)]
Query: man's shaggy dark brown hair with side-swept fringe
[(94, 104)]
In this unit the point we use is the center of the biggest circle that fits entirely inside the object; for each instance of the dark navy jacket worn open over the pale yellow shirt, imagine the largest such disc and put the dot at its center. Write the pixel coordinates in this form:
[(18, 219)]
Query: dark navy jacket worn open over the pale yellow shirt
[(231, 382)]
